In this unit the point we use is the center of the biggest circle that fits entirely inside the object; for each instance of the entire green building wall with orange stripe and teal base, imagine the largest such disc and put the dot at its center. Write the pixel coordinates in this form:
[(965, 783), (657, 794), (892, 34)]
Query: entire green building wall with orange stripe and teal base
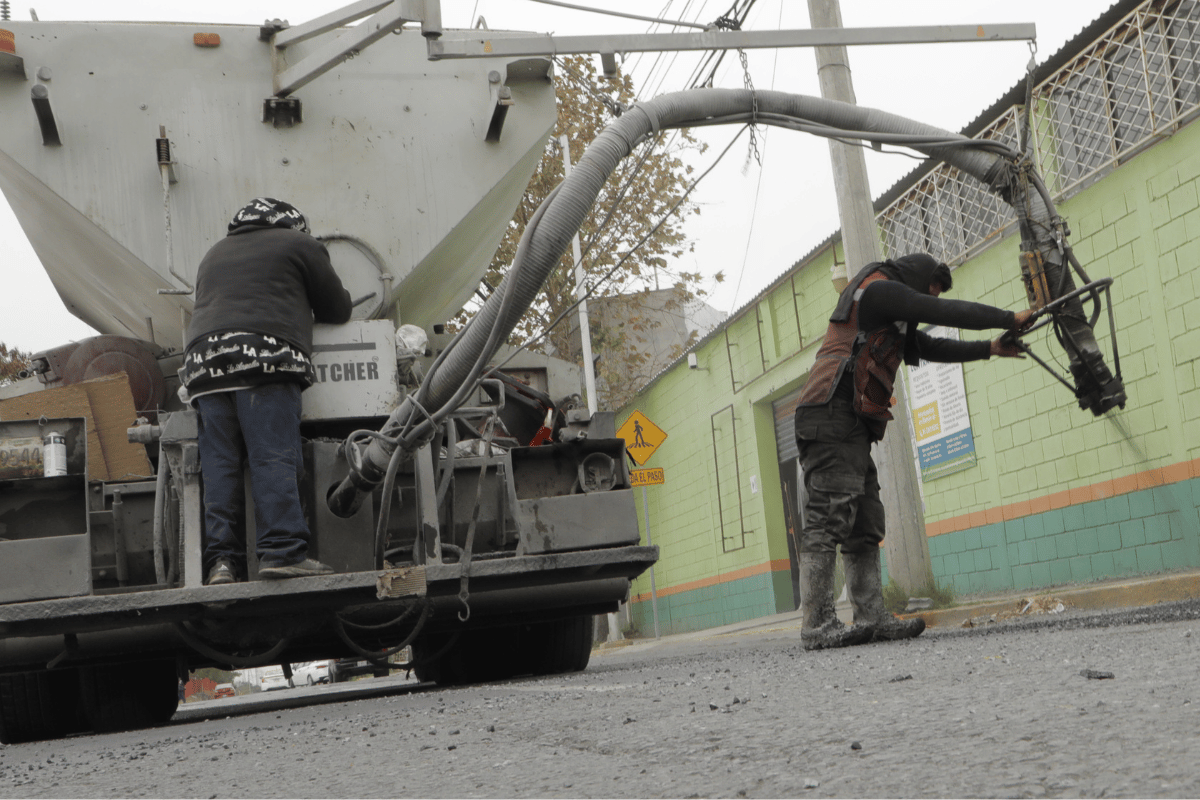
[(1057, 497)]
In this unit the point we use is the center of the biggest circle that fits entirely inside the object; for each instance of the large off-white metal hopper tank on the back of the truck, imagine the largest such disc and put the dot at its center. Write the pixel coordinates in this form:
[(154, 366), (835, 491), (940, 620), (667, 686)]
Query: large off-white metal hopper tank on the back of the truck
[(392, 161)]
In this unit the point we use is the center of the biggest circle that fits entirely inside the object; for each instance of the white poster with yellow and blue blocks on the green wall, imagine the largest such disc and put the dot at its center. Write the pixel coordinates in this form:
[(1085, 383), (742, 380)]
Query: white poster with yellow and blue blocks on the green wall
[(940, 419)]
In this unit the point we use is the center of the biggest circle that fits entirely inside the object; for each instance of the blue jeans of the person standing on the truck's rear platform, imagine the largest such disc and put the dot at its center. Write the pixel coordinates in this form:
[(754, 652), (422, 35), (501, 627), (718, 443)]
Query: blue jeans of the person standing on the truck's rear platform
[(261, 425)]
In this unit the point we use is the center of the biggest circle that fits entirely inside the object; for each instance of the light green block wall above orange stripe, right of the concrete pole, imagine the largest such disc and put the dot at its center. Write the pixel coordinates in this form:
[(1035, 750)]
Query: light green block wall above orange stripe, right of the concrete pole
[(1033, 441)]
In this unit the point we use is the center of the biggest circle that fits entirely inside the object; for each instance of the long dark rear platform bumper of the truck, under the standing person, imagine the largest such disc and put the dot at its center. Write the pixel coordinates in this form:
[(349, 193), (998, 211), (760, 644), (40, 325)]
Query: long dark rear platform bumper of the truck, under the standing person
[(112, 625)]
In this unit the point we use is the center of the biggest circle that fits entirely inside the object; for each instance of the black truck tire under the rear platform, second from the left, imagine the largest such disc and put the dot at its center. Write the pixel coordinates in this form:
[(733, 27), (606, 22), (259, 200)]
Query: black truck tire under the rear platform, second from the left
[(129, 696)]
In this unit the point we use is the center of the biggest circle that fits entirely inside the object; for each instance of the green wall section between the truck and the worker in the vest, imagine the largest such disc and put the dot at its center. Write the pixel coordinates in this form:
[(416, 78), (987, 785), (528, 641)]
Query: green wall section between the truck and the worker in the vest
[(754, 360)]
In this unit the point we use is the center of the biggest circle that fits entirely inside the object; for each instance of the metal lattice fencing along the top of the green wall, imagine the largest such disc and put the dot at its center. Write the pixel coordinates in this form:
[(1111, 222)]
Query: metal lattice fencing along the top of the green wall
[(1138, 82)]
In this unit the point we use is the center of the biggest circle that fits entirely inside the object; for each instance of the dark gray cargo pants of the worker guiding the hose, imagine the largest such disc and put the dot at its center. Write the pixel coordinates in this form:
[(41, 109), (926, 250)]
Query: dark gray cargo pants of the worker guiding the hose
[(844, 506)]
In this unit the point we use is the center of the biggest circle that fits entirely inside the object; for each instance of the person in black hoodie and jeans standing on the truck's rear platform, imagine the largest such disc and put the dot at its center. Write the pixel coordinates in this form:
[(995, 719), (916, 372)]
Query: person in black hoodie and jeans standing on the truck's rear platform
[(259, 293)]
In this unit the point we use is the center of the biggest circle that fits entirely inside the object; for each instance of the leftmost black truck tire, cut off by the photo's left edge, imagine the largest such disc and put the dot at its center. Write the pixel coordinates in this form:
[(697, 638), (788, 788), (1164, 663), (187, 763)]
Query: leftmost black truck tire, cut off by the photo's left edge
[(41, 705)]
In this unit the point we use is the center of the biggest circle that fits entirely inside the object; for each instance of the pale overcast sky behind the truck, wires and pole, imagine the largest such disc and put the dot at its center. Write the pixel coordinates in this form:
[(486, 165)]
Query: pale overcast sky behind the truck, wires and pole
[(755, 222)]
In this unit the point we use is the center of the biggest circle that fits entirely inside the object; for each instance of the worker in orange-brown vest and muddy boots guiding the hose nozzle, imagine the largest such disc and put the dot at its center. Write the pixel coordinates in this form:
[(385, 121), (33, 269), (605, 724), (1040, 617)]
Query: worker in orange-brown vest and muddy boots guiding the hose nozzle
[(844, 408)]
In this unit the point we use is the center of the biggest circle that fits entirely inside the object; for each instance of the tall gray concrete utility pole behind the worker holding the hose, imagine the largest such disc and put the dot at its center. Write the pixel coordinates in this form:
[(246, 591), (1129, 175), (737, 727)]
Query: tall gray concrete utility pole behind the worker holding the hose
[(908, 552)]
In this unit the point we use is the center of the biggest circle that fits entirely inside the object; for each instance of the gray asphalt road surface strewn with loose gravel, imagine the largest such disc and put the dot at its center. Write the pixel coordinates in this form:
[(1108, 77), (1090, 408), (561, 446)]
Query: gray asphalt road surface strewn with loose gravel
[(1102, 705)]
